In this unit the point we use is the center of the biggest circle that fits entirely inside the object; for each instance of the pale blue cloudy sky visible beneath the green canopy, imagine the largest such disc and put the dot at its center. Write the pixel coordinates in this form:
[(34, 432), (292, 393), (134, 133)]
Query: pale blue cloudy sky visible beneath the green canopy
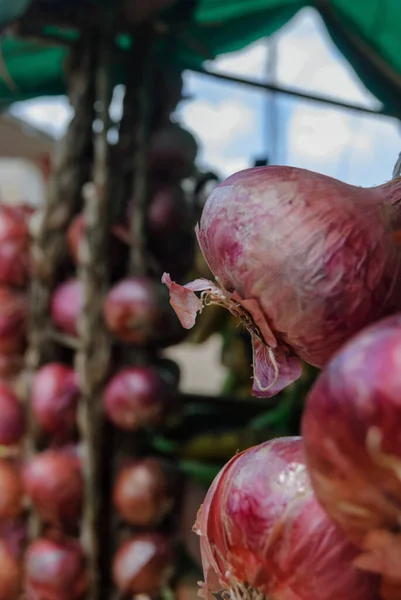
[(235, 124)]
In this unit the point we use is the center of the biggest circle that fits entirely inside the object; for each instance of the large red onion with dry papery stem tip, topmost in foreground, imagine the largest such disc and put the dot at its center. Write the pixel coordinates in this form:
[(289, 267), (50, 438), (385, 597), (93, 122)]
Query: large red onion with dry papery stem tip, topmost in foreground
[(303, 259)]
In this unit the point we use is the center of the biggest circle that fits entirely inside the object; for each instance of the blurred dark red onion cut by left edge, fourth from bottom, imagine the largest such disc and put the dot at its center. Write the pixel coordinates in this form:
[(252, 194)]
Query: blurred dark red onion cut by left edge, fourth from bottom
[(13, 310)]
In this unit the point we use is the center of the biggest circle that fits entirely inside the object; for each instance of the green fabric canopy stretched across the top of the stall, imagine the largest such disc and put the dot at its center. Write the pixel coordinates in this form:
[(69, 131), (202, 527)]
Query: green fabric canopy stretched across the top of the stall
[(368, 33)]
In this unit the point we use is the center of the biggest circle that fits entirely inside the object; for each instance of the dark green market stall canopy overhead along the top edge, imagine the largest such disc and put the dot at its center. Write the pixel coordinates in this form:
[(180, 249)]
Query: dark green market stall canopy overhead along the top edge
[(368, 33)]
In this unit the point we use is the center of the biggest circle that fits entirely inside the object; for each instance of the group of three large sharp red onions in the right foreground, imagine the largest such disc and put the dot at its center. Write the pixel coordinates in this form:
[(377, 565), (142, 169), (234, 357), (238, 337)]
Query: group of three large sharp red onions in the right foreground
[(312, 268)]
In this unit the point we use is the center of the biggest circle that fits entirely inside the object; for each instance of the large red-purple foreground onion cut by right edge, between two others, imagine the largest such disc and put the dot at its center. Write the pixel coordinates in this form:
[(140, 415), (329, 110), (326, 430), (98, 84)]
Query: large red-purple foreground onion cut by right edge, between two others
[(352, 431)]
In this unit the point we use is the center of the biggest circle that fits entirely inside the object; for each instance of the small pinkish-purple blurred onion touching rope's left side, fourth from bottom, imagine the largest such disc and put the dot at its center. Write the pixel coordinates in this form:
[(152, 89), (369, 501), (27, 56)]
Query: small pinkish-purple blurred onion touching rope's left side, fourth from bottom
[(67, 305)]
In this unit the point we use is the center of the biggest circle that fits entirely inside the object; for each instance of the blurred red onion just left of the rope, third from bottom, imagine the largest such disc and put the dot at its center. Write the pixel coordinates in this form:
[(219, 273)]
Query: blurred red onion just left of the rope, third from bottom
[(54, 398)]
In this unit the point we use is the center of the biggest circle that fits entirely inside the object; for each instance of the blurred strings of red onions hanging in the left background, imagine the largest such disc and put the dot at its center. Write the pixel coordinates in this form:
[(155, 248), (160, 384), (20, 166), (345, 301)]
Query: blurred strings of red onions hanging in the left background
[(138, 395)]
